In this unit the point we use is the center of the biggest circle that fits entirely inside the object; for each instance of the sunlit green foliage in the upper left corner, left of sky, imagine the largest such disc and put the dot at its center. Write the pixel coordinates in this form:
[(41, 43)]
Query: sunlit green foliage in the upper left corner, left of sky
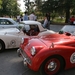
[(9, 8)]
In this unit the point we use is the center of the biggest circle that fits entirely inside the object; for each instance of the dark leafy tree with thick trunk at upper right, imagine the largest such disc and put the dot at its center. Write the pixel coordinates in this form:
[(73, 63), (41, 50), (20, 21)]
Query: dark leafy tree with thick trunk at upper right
[(59, 6)]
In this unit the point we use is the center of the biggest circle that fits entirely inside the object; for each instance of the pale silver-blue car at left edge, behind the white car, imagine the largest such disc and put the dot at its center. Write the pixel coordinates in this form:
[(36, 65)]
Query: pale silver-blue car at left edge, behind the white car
[(8, 23)]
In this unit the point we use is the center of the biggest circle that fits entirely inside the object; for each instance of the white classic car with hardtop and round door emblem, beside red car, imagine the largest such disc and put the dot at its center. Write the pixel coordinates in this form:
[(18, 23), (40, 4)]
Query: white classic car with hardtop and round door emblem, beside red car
[(12, 37)]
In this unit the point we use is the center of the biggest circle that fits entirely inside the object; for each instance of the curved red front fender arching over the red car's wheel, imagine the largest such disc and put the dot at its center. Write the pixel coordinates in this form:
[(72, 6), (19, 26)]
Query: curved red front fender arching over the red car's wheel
[(40, 57)]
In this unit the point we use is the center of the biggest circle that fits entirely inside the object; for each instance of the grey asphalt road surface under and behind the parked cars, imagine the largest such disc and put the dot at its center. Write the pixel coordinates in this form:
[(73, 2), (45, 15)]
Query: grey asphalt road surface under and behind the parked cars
[(11, 64)]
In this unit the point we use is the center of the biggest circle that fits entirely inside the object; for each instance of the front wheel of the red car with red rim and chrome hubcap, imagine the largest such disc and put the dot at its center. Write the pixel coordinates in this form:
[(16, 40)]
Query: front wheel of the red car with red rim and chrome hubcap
[(52, 66)]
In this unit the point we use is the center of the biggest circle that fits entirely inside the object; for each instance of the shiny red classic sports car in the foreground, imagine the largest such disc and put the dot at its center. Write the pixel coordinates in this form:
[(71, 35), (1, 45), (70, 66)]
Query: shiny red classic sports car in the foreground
[(49, 54)]
